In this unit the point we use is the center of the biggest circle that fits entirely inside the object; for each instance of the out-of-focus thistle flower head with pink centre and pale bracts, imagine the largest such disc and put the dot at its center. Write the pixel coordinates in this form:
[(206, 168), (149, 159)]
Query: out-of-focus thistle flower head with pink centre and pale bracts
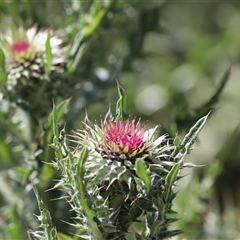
[(25, 55)]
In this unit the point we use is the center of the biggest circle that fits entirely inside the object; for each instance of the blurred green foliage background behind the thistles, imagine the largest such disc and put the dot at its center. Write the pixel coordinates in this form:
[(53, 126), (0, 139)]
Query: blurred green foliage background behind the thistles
[(170, 57)]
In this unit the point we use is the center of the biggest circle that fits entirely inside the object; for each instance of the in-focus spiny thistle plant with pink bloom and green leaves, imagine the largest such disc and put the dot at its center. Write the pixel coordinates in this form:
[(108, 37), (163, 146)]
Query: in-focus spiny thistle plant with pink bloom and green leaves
[(119, 179)]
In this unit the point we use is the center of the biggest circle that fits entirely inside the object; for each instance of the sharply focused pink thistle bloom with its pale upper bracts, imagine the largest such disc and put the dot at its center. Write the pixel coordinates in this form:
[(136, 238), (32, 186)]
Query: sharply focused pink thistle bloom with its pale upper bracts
[(120, 140)]
